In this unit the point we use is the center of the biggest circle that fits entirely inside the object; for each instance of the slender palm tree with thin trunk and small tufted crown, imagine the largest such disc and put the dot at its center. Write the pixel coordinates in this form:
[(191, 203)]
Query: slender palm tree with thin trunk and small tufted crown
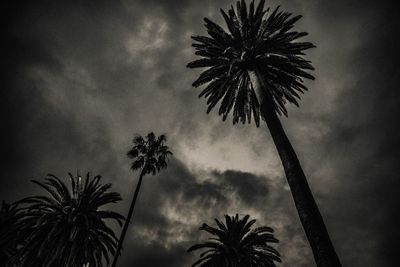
[(149, 155)]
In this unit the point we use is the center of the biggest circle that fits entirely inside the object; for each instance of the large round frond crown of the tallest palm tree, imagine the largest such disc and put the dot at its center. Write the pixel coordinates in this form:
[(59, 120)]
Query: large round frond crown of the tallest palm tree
[(257, 40)]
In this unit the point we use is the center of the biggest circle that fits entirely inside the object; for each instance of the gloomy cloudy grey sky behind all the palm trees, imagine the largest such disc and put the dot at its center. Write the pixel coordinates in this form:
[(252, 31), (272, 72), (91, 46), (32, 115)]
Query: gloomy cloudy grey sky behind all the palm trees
[(82, 79)]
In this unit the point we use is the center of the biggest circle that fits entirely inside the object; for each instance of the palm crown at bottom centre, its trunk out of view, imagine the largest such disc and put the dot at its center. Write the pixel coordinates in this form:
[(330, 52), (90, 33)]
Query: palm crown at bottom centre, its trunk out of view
[(234, 244)]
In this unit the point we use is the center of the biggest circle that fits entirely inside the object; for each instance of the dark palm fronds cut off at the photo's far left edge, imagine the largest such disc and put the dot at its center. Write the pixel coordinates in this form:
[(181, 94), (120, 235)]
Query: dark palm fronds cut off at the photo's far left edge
[(9, 216)]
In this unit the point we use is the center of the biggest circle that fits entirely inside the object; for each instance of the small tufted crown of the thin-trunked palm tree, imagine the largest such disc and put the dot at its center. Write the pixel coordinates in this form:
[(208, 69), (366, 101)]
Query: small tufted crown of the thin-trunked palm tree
[(150, 154)]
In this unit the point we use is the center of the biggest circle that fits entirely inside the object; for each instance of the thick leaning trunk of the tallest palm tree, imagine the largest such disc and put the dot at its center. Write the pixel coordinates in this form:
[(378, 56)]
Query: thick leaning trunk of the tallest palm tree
[(310, 217)]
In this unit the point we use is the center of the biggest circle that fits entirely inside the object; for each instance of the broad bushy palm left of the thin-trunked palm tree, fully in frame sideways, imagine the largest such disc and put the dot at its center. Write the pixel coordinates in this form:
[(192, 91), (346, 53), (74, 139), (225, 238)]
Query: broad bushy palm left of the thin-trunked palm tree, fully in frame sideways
[(69, 229)]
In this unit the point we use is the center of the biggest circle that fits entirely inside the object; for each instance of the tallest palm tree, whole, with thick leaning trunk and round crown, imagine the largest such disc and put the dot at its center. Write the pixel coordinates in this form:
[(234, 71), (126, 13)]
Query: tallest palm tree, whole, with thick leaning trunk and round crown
[(254, 70)]
